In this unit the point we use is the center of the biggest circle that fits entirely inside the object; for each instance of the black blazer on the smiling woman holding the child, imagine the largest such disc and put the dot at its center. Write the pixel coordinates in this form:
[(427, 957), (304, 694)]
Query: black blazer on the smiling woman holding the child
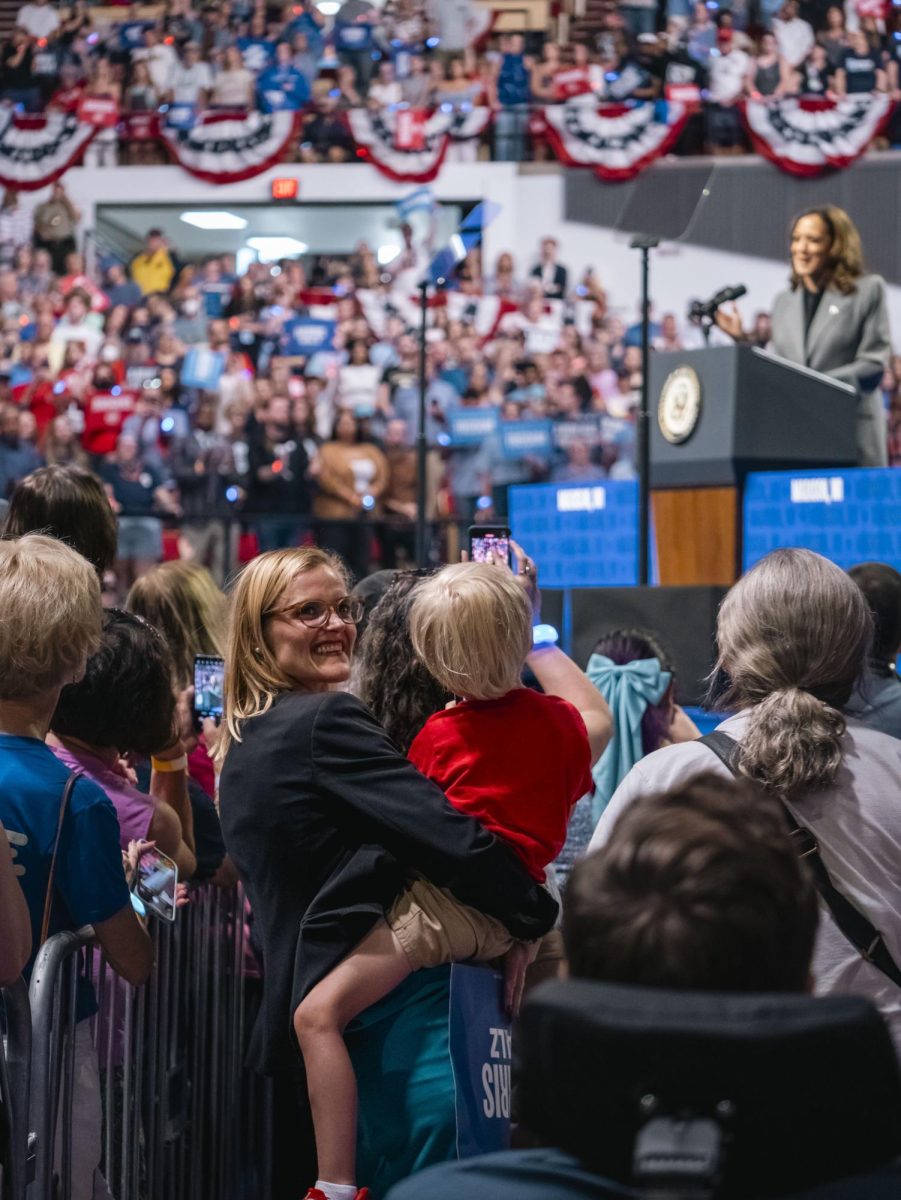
[(325, 819)]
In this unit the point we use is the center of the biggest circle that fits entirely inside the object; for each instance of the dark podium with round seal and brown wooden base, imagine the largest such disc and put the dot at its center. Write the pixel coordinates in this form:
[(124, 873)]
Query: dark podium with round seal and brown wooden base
[(716, 416)]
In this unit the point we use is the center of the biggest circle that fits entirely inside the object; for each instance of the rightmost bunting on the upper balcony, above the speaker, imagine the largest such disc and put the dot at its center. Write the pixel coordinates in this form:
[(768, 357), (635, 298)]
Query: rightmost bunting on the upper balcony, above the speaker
[(808, 136)]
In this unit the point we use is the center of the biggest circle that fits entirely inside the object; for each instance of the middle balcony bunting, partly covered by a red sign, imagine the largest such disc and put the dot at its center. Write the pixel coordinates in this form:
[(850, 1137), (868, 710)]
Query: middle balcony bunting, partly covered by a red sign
[(410, 146)]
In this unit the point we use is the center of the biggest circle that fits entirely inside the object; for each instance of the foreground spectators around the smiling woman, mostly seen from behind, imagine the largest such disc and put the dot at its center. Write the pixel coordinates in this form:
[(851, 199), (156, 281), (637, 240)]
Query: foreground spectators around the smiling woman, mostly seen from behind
[(380, 831)]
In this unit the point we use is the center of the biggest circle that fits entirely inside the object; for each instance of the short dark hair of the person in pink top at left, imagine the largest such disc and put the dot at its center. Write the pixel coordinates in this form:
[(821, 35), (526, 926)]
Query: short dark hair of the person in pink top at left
[(127, 698)]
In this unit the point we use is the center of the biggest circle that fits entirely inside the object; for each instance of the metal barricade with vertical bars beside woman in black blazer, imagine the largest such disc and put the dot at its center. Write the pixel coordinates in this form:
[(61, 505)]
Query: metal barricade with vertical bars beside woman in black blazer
[(182, 1119)]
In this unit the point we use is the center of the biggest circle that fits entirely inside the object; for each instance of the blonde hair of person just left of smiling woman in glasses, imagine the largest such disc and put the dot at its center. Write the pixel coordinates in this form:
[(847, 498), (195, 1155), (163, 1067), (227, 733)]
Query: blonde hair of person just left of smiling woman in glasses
[(183, 602)]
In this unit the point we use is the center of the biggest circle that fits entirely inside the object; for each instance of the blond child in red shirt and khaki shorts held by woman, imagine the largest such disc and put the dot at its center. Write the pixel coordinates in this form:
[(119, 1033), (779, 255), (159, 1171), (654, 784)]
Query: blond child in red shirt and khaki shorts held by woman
[(514, 759)]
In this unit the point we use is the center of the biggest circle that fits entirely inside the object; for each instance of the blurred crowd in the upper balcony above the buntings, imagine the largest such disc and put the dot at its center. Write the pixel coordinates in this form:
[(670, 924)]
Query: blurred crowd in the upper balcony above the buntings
[(242, 56)]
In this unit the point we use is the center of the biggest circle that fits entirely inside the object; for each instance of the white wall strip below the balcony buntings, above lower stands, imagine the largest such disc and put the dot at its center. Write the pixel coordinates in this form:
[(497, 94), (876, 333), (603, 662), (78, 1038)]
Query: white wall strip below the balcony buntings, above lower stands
[(531, 207)]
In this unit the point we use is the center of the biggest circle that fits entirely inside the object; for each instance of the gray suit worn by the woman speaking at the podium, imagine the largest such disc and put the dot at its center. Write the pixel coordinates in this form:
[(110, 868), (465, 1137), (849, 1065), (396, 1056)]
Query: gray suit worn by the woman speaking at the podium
[(849, 340)]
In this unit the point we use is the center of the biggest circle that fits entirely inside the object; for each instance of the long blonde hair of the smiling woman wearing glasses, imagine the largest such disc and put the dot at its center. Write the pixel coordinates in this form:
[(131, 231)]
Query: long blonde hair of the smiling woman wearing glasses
[(254, 679)]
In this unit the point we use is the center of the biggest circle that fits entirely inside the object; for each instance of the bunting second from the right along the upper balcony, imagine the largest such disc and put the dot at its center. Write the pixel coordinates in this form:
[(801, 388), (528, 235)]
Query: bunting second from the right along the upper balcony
[(616, 141)]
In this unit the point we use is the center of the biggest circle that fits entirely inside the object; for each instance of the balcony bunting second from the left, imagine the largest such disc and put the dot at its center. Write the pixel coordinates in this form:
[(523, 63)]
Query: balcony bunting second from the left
[(225, 148)]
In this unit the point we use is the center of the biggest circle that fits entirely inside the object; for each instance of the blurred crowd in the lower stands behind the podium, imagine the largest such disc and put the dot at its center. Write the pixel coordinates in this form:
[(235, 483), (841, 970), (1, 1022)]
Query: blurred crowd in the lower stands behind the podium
[(185, 388)]
